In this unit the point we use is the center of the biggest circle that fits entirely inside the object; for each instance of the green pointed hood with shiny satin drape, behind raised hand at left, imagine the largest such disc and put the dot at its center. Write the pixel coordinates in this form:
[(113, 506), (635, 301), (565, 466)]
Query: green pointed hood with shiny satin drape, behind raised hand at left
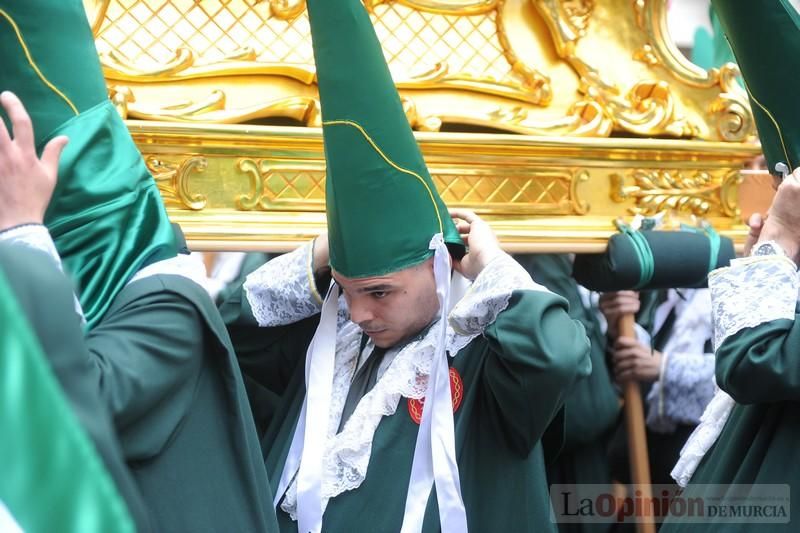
[(106, 215)]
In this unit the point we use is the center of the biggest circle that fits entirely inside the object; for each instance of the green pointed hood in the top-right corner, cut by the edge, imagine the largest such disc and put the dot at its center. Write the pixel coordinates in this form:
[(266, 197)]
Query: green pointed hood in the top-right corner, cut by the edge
[(765, 38)]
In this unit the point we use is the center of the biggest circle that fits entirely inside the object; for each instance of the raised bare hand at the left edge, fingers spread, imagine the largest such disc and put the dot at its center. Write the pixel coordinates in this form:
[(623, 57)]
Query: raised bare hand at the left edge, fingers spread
[(26, 181)]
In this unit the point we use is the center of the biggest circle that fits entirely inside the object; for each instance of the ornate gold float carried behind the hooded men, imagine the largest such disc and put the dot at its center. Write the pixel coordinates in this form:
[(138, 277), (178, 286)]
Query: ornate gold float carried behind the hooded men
[(550, 117)]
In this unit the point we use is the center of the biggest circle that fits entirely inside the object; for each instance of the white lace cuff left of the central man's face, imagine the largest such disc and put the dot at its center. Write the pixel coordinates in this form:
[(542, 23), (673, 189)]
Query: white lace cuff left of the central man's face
[(283, 290)]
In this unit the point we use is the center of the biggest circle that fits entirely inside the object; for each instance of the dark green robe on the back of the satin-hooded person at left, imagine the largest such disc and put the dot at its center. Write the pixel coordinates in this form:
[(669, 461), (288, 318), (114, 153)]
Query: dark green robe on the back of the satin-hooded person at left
[(161, 363)]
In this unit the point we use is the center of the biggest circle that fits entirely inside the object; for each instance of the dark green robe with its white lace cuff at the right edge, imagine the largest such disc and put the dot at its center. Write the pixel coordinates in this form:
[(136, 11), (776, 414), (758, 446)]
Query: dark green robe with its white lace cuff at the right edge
[(758, 365)]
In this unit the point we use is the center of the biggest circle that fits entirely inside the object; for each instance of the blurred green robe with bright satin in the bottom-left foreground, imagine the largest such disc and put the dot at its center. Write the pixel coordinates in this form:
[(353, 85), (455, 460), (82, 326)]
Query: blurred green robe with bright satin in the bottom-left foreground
[(63, 468)]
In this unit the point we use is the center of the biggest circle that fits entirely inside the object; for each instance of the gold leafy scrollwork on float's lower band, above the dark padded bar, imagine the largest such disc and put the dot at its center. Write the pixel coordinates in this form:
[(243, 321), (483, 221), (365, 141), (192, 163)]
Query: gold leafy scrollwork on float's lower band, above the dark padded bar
[(698, 193)]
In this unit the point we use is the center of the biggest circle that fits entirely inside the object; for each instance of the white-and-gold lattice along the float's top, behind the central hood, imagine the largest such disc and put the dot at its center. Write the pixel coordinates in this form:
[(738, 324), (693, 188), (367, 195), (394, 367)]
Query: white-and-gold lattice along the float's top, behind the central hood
[(149, 32)]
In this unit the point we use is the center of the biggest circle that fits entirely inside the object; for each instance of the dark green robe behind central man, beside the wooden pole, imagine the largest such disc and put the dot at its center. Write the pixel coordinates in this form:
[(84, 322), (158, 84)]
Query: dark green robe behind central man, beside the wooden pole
[(592, 408)]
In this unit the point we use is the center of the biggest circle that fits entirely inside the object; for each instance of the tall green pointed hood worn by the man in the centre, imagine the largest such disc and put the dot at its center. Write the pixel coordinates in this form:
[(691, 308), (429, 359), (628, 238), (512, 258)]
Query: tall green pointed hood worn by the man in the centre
[(382, 205)]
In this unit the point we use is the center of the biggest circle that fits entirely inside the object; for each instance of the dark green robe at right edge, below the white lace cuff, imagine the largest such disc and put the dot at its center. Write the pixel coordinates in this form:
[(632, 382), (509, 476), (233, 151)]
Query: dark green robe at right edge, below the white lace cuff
[(759, 444)]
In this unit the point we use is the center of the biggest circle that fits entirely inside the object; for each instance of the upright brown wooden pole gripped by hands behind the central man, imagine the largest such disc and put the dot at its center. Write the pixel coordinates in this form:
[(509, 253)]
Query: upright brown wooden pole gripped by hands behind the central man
[(637, 438)]
